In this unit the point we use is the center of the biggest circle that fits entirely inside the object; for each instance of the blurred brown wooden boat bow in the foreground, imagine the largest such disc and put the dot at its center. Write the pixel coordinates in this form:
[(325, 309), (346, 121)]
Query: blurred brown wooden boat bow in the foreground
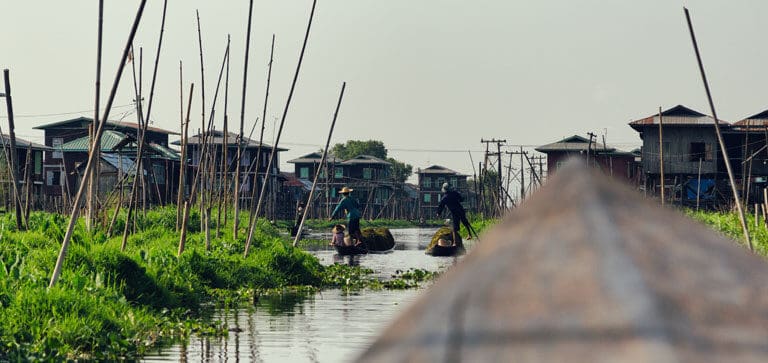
[(586, 270)]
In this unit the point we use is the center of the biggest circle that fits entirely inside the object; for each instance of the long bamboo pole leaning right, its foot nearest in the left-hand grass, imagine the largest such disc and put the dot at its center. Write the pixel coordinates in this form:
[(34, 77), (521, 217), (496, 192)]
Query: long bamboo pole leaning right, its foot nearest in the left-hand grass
[(97, 141)]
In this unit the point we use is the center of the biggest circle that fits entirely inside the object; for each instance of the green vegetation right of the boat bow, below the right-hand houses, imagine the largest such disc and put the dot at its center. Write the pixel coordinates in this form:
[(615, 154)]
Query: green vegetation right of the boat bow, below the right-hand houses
[(728, 224)]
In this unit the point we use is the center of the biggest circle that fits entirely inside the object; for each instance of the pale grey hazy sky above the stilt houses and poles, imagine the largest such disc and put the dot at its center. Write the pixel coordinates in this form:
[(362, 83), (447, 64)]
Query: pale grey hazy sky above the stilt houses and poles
[(429, 78)]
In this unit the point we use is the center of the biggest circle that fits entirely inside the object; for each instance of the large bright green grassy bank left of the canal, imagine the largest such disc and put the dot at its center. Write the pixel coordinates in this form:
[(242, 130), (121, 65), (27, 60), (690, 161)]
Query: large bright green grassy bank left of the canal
[(110, 304)]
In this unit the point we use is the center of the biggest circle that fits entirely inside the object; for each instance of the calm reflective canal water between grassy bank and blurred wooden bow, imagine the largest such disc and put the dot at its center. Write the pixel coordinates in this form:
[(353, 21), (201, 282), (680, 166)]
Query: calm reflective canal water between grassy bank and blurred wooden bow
[(331, 326)]
